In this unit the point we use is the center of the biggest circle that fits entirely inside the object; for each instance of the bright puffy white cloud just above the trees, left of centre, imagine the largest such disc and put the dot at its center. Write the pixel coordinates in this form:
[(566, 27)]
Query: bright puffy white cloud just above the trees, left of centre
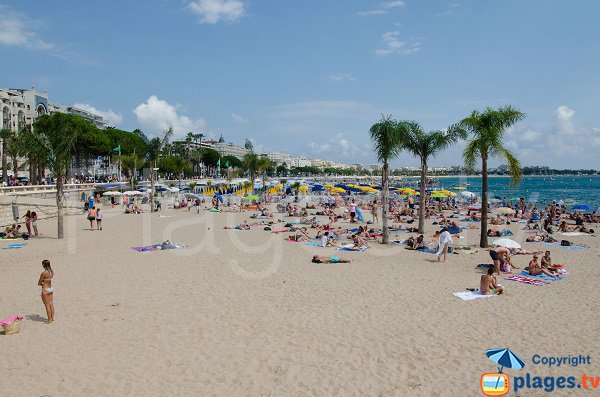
[(156, 115)]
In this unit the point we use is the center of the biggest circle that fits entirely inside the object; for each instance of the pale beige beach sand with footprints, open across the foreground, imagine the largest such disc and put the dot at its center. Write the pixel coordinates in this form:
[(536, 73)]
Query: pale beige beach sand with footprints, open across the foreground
[(245, 313)]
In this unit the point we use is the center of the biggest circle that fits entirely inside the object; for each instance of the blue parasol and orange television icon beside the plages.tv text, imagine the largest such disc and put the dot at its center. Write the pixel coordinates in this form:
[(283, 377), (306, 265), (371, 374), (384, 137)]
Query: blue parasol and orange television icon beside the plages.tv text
[(498, 383)]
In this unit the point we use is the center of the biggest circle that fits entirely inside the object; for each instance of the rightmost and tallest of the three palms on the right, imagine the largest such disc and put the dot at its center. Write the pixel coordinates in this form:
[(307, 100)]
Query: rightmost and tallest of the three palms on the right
[(487, 130)]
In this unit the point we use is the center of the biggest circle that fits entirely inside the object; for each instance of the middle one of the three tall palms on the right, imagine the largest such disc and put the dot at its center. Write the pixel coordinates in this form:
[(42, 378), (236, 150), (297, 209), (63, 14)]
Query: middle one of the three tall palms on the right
[(425, 145)]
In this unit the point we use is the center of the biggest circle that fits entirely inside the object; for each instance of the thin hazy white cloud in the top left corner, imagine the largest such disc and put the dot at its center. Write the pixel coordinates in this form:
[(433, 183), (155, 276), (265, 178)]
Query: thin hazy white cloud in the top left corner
[(18, 30)]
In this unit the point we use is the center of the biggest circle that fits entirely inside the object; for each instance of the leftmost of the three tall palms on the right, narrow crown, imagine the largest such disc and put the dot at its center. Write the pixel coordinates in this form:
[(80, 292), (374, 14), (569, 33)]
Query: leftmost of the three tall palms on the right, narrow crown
[(386, 141)]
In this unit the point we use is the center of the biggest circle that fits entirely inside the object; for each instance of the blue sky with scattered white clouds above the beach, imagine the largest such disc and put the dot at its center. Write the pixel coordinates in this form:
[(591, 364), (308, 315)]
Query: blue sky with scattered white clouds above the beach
[(310, 77)]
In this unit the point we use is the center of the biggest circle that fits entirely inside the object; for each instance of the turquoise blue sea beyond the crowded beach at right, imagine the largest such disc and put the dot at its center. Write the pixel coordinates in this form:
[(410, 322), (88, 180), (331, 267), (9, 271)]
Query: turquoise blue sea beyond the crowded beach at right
[(538, 189)]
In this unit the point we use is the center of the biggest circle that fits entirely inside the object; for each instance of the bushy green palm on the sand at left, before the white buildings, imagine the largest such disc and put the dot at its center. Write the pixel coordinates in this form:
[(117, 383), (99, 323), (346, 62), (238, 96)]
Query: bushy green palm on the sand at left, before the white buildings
[(55, 138)]
